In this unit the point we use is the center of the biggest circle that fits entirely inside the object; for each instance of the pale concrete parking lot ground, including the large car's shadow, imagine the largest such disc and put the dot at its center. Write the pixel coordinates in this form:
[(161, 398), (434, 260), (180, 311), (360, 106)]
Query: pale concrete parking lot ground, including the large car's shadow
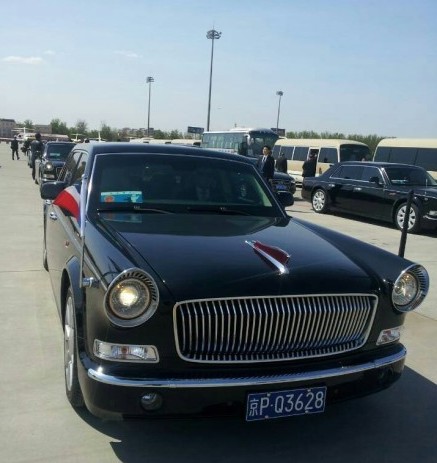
[(37, 423)]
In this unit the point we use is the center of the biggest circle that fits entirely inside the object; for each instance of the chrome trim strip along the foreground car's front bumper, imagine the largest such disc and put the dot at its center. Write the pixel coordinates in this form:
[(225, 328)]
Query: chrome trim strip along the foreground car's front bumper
[(181, 383)]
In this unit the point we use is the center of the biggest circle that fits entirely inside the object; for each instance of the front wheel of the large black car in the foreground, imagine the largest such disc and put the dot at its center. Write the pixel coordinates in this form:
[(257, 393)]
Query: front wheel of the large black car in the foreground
[(72, 386)]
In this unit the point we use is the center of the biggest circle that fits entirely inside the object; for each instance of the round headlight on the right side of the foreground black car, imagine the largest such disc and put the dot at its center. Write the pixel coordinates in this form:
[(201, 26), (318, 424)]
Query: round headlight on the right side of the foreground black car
[(410, 288)]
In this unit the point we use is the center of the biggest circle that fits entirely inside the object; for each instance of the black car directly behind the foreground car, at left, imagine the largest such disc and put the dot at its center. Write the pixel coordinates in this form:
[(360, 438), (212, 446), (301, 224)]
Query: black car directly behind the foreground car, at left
[(48, 167)]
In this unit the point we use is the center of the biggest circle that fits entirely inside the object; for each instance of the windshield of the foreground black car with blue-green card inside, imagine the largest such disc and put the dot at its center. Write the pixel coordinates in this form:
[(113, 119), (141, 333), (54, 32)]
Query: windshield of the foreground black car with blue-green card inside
[(178, 184)]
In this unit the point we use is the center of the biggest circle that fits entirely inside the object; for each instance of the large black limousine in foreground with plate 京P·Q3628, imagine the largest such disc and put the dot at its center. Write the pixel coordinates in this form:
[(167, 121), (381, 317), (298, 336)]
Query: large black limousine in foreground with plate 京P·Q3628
[(184, 288)]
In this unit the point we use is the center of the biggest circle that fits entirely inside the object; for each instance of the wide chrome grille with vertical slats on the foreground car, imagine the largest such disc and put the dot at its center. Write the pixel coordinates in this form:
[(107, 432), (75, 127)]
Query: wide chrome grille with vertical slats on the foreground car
[(265, 329)]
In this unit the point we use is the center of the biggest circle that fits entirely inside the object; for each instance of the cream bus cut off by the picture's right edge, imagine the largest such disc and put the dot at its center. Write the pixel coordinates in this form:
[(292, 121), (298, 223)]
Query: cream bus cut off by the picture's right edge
[(417, 151)]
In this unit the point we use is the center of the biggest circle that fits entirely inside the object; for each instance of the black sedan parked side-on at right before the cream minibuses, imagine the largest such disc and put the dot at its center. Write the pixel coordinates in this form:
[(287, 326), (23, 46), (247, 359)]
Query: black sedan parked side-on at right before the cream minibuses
[(376, 190)]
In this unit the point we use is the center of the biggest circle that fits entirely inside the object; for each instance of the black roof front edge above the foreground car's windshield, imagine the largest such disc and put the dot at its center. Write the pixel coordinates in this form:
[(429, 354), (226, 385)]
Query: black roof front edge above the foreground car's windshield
[(132, 148)]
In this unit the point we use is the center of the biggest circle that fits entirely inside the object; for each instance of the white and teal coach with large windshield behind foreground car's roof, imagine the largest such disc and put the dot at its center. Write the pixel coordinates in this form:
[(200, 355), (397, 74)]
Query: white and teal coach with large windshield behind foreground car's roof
[(240, 140)]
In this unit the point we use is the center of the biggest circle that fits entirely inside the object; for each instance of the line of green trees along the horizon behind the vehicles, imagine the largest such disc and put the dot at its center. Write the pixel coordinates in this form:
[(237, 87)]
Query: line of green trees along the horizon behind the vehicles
[(81, 130)]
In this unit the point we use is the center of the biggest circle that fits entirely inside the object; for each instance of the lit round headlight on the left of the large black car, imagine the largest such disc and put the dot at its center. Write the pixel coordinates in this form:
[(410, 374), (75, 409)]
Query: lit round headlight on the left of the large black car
[(132, 298)]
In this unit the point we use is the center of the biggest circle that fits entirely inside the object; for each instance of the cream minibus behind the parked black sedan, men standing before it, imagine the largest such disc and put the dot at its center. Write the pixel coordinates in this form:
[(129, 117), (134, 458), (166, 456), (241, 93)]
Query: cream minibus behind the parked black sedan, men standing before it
[(328, 152)]
